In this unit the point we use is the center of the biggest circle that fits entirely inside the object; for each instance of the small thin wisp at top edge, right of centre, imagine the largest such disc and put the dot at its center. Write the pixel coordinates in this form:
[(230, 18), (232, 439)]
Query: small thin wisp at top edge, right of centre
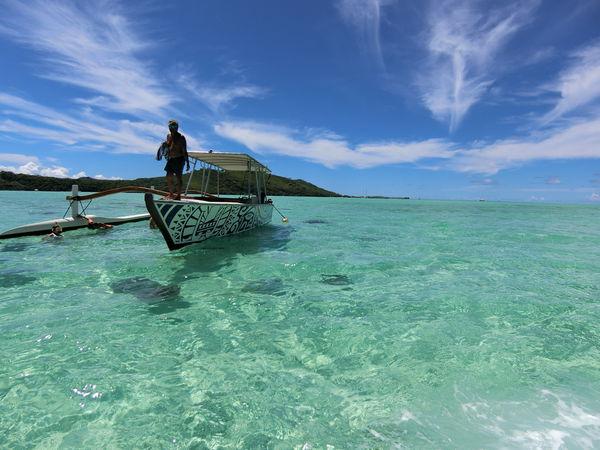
[(365, 17)]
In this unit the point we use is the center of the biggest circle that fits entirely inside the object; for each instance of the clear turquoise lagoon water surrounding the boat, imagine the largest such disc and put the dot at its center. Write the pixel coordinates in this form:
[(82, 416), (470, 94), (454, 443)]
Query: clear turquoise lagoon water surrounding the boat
[(361, 324)]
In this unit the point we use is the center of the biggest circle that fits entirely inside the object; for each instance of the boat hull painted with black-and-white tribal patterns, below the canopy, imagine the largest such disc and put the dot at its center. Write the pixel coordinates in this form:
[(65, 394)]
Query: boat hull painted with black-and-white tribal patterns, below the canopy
[(191, 221)]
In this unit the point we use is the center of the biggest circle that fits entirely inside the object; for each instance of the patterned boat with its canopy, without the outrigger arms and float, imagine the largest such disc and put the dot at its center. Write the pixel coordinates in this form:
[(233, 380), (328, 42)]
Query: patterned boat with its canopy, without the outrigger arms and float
[(195, 219)]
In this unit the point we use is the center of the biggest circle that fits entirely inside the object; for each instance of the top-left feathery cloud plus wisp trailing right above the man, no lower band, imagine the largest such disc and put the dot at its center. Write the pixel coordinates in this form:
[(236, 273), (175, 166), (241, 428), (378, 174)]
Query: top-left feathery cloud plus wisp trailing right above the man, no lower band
[(93, 45)]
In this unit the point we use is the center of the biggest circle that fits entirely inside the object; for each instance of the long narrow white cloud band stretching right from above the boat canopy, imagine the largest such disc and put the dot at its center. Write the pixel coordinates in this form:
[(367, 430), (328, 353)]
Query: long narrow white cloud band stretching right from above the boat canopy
[(328, 150)]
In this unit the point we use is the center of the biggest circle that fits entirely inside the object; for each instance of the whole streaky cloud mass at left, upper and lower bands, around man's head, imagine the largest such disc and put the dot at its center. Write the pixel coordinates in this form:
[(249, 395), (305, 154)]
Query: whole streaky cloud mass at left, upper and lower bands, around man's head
[(93, 45)]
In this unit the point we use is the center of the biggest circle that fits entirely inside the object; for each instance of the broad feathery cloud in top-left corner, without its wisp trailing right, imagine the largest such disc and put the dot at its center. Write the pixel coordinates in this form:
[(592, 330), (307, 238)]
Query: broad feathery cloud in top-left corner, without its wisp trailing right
[(89, 45)]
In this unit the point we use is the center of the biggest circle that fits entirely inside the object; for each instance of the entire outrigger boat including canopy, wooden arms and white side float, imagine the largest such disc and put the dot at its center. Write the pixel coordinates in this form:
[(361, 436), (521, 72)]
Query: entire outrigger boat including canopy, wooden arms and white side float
[(191, 219)]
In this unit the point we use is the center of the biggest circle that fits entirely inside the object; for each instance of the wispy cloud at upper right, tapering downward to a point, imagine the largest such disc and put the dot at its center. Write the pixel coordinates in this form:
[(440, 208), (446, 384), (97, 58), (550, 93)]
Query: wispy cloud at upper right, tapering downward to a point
[(463, 41)]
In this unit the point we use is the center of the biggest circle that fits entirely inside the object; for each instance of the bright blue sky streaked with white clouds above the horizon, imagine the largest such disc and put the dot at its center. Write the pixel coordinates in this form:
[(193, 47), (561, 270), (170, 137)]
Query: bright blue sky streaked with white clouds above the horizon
[(442, 99)]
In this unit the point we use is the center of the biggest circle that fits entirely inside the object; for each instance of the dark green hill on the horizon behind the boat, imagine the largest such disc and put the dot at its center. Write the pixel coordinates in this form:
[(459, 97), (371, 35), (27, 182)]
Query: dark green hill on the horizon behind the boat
[(229, 183)]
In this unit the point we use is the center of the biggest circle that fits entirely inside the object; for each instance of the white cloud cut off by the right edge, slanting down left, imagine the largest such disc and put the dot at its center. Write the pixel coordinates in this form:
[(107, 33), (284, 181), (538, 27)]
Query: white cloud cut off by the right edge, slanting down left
[(578, 84)]
